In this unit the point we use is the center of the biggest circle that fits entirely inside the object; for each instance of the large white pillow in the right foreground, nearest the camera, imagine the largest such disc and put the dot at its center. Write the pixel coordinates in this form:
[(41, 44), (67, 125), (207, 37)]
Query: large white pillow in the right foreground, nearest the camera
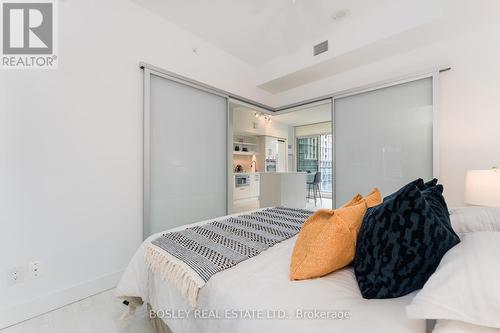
[(466, 284)]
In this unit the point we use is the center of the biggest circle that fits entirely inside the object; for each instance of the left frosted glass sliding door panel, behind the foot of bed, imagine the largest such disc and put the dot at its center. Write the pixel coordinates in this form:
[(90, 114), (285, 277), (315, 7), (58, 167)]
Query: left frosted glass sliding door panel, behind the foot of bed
[(185, 154)]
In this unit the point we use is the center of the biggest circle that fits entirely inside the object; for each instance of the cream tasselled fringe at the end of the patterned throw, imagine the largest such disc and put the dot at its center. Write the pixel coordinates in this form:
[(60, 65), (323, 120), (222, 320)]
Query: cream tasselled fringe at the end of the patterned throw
[(175, 271)]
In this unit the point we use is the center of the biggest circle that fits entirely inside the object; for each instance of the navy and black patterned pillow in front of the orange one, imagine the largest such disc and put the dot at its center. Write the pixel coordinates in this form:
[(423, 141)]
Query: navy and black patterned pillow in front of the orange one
[(400, 244)]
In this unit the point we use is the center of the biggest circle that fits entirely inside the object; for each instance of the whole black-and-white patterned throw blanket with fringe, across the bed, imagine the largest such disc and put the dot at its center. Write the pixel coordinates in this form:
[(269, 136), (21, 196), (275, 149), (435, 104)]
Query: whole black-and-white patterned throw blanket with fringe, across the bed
[(189, 258)]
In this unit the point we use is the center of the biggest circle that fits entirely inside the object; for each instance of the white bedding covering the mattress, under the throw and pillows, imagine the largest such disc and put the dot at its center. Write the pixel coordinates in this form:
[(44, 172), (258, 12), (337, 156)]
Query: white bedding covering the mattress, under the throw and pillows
[(261, 283)]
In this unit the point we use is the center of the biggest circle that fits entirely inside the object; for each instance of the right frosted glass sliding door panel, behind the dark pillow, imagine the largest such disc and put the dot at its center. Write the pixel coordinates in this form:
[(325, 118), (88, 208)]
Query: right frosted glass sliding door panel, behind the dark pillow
[(383, 138)]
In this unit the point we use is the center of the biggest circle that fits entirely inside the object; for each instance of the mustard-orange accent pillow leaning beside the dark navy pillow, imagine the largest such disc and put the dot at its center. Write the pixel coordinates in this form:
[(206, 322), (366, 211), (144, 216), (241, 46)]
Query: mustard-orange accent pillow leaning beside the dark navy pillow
[(327, 240)]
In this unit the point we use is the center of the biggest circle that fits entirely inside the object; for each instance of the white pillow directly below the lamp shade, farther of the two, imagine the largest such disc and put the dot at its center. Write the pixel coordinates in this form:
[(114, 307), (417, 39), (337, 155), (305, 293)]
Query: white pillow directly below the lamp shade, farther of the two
[(470, 219)]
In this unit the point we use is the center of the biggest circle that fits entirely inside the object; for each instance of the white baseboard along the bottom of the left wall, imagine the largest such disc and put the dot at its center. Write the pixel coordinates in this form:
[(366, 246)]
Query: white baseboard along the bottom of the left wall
[(41, 305)]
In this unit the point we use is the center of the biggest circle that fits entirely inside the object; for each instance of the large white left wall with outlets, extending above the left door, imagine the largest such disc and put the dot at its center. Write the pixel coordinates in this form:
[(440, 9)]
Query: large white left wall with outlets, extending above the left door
[(71, 148)]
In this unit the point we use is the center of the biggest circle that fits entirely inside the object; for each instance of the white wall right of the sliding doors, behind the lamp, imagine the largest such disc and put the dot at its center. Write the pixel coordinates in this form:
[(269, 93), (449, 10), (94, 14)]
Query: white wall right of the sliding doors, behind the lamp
[(469, 104)]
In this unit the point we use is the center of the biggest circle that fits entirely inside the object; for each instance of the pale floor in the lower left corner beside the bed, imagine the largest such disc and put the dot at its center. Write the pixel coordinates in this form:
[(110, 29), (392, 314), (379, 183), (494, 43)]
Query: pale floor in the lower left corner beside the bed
[(97, 314)]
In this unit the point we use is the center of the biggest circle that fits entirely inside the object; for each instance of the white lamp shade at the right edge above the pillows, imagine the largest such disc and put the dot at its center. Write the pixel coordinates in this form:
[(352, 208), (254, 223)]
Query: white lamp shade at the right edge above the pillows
[(482, 188)]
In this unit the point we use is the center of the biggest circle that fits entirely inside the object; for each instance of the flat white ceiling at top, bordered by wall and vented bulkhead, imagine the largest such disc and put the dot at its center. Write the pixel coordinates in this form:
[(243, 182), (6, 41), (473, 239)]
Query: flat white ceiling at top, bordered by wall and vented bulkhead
[(258, 31)]
